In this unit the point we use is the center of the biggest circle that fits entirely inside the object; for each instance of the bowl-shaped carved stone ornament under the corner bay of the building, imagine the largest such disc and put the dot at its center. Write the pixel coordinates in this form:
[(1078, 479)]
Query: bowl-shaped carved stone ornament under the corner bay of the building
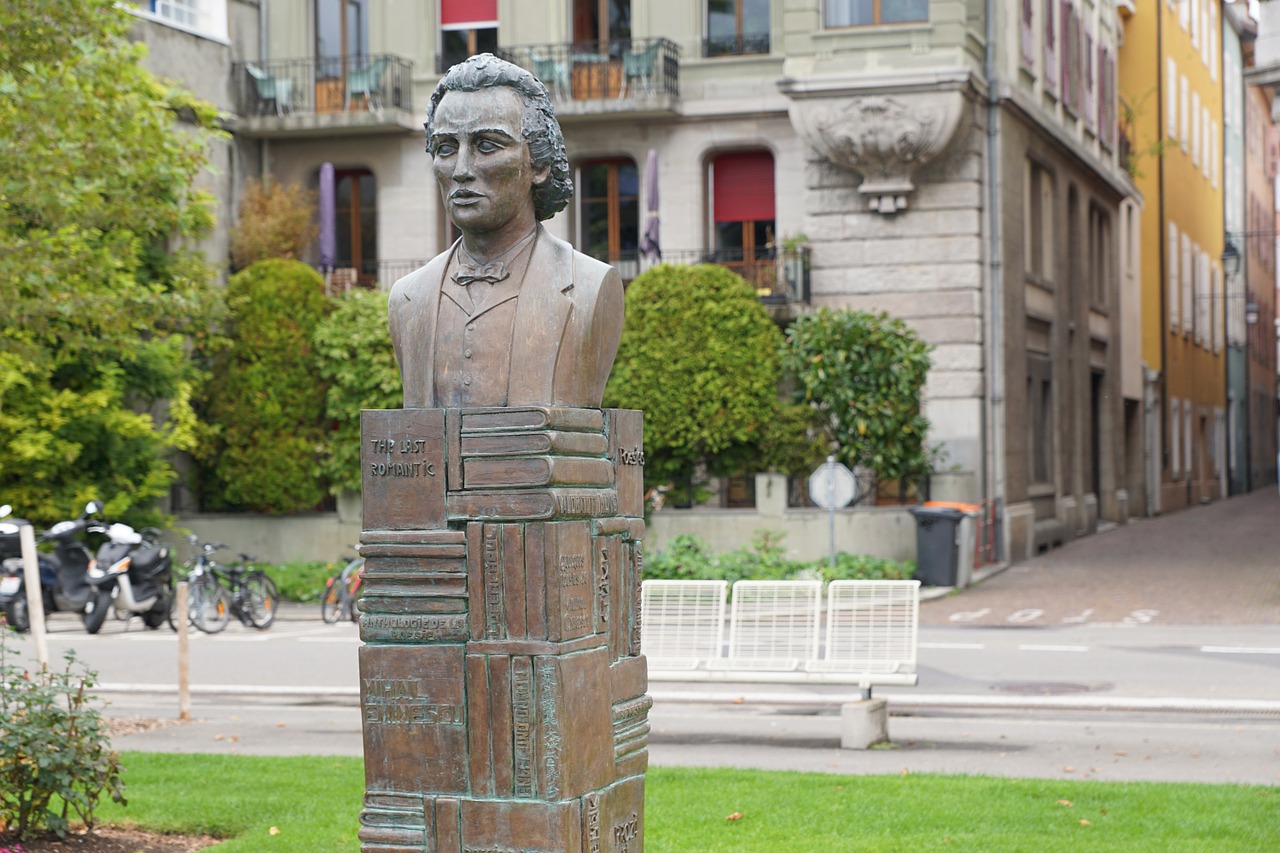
[(884, 138)]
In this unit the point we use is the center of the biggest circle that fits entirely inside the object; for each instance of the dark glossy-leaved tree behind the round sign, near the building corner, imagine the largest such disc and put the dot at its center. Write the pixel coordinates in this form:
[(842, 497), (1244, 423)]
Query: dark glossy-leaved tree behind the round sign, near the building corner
[(865, 375)]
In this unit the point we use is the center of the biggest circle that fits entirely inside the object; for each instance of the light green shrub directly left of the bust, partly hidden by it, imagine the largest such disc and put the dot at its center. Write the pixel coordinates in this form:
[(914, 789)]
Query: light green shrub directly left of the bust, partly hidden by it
[(359, 363)]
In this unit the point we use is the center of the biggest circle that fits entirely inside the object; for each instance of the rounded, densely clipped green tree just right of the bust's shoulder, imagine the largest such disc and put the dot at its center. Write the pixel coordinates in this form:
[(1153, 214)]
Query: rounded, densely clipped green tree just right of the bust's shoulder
[(701, 357)]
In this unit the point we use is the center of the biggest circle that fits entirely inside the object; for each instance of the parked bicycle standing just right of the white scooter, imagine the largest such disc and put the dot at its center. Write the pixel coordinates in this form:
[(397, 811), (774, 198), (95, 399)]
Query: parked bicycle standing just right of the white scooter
[(217, 592)]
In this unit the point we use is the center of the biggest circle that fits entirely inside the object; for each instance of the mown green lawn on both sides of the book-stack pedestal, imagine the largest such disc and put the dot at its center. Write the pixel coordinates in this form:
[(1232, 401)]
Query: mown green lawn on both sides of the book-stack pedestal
[(313, 804)]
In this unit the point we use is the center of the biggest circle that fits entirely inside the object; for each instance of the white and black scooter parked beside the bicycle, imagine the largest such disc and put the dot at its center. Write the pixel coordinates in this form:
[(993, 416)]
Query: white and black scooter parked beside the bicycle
[(135, 573)]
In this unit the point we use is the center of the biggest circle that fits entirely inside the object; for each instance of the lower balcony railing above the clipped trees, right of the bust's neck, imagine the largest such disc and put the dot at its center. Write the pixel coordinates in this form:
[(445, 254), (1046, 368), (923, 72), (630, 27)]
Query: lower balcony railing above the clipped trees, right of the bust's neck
[(779, 277)]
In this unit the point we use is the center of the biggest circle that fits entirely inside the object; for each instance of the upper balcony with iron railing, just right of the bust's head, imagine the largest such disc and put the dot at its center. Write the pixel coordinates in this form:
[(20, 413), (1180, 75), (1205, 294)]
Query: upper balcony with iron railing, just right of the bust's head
[(589, 79)]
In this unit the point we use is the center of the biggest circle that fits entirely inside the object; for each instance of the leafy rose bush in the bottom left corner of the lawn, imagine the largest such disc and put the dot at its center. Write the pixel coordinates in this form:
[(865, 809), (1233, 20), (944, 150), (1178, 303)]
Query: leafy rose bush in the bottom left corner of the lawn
[(56, 754)]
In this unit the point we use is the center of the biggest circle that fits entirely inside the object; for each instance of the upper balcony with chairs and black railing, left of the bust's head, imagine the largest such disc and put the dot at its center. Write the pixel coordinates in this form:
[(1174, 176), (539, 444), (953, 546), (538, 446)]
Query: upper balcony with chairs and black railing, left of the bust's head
[(295, 98)]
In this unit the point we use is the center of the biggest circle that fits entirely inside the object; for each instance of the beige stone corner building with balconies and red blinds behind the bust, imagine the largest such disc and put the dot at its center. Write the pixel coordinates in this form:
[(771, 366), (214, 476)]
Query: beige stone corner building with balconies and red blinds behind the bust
[(956, 163)]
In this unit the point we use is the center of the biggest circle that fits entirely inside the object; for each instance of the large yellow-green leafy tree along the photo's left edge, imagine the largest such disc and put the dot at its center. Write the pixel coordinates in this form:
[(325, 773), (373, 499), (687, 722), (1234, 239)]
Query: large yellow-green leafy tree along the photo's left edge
[(99, 294)]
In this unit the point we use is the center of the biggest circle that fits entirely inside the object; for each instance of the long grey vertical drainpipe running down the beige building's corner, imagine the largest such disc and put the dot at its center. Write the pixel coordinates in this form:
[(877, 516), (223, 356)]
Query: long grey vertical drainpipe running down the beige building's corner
[(995, 291)]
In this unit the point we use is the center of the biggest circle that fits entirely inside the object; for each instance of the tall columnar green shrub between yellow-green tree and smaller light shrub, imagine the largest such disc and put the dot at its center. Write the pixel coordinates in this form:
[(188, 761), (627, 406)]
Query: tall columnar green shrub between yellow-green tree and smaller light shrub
[(266, 399)]
